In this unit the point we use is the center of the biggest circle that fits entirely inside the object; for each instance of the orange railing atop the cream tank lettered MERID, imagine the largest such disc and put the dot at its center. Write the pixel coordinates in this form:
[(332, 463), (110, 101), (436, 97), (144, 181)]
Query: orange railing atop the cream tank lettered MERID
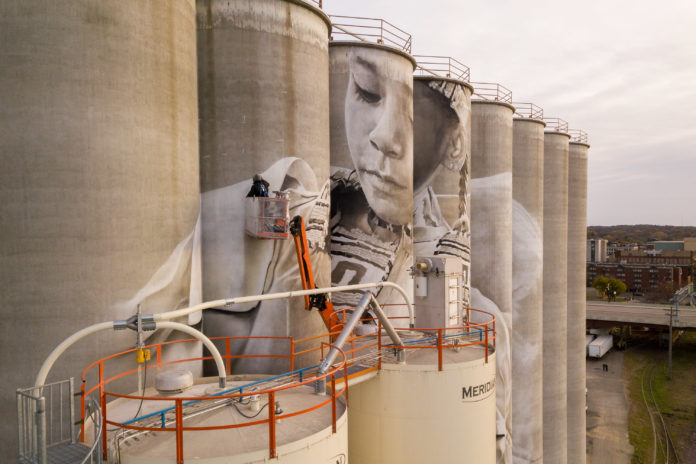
[(466, 335)]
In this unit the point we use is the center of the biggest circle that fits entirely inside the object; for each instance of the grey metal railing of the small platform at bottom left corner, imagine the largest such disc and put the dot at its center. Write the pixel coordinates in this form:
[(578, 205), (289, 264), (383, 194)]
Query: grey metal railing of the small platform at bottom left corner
[(45, 419)]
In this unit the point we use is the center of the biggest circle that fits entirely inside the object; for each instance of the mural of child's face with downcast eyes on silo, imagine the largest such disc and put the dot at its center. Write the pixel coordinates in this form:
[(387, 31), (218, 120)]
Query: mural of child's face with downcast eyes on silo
[(379, 129)]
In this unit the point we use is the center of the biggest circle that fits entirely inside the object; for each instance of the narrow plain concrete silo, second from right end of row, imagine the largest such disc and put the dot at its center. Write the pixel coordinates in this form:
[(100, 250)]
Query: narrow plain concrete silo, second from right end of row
[(555, 295)]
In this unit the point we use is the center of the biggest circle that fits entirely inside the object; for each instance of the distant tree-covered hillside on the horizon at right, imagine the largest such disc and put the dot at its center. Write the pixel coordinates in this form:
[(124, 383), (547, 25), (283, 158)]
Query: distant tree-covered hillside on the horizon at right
[(640, 233)]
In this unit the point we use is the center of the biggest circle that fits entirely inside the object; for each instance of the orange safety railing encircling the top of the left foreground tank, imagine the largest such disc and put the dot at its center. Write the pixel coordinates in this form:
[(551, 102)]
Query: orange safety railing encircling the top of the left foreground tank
[(171, 418)]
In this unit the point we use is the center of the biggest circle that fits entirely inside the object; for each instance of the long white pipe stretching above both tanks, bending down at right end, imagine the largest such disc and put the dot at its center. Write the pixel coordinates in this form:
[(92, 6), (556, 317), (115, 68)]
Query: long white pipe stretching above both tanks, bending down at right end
[(277, 296)]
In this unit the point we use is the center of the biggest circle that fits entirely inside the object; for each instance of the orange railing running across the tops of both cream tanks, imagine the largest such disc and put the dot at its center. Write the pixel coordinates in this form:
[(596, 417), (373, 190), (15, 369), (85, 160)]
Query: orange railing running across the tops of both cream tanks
[(356, 348)]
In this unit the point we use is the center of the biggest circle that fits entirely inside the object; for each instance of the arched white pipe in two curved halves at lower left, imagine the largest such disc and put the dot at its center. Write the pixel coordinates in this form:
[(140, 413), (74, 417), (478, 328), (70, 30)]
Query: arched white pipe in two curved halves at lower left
[(60, 349)]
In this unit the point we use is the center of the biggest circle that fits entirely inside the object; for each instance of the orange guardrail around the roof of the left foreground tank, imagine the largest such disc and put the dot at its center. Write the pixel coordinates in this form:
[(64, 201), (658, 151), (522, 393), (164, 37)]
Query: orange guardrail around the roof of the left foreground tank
[(300, 377)]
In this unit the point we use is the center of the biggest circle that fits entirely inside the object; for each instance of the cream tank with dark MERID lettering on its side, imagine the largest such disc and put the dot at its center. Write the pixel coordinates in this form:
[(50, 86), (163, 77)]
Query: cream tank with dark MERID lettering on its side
[(412, 413)]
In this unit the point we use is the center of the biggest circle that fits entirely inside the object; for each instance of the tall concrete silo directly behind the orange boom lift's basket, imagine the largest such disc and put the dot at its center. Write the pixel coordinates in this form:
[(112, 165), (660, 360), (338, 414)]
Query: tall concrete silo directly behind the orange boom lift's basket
[(264, 109)]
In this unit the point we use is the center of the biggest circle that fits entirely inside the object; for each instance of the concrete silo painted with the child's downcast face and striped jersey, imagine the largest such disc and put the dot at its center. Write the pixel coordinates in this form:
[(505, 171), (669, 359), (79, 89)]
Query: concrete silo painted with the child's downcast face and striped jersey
[(371, 169)]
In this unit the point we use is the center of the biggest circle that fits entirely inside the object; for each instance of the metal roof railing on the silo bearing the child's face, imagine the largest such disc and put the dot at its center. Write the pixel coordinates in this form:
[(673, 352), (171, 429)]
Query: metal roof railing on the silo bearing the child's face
[(375, 30)]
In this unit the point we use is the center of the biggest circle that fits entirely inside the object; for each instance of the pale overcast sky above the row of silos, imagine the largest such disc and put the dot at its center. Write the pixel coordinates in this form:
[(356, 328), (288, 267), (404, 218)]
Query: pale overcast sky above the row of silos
[(622, 70)]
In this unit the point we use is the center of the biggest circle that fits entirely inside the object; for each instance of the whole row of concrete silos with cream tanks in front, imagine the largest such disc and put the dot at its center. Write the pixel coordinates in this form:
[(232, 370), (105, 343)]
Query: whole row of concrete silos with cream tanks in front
[(382, 258)]
